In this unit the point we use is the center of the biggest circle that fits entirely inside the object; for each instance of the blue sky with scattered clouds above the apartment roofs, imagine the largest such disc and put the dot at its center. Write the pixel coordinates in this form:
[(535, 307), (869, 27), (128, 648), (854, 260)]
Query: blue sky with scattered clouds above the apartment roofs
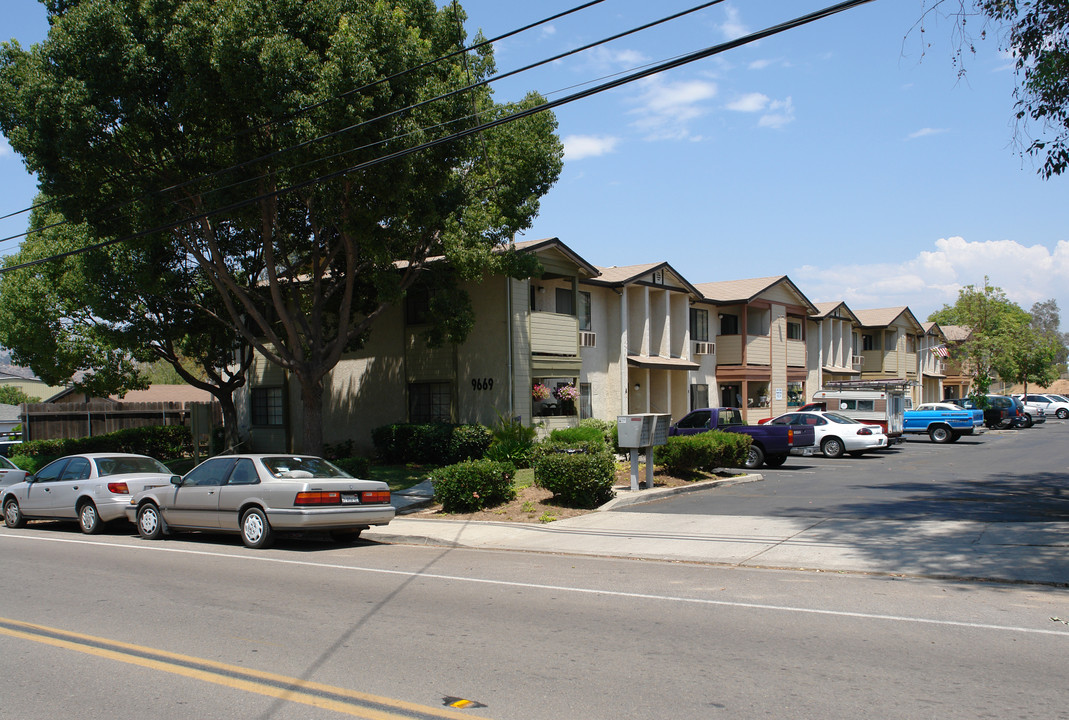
[(847, 154)]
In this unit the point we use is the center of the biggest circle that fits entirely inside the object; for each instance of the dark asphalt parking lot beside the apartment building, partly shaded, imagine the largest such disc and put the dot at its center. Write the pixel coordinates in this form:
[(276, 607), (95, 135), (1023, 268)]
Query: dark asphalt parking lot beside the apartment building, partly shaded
[(1019, 476)]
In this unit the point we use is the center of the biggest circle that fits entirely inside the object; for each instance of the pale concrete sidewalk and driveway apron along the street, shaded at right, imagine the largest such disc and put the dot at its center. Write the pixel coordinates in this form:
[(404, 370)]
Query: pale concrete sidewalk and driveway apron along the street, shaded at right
[(1015, 553)]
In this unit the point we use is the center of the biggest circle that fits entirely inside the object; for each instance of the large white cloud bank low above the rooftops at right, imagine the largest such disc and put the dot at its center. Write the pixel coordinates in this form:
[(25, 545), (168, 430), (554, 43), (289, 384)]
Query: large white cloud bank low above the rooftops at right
[(932, 279)]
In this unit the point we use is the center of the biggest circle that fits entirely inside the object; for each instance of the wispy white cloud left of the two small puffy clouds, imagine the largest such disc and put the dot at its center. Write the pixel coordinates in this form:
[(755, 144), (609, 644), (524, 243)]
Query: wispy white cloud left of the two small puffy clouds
[(669, 108)]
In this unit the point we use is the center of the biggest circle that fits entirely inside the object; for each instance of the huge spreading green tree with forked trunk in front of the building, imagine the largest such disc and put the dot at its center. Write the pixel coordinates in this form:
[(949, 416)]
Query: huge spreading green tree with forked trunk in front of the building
[(354, 161)]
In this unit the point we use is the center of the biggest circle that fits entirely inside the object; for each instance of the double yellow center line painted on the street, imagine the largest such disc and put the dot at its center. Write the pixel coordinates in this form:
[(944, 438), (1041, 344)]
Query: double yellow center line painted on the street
[(293, 690)]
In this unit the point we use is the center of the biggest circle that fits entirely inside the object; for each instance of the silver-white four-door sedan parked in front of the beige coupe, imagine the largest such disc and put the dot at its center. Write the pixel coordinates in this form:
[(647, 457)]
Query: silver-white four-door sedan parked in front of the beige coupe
[(94, 489)]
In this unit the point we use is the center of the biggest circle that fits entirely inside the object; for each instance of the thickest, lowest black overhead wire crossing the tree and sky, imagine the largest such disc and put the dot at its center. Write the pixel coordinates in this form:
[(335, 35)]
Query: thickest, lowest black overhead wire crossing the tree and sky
[(660, 68)]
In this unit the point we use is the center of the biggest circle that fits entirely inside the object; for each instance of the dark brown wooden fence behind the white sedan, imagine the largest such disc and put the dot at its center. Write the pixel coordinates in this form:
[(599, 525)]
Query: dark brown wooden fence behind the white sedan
[(50, 421)]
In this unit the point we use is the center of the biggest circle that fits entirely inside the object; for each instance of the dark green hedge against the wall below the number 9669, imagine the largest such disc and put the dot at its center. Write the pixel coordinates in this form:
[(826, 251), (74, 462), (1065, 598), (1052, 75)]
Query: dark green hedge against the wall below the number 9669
[(431, 444)]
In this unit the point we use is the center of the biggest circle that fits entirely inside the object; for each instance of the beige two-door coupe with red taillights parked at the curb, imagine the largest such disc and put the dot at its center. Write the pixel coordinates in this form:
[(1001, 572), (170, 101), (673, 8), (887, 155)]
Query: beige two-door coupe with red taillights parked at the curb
[(258, 495)]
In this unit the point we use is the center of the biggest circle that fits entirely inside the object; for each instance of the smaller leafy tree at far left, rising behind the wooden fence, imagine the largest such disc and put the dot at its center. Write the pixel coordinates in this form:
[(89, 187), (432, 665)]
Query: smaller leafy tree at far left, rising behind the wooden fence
[(92, 320)]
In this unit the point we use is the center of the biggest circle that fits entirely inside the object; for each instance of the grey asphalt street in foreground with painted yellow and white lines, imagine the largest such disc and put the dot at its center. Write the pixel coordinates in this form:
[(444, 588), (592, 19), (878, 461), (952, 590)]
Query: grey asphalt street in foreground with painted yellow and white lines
[(118, 629)]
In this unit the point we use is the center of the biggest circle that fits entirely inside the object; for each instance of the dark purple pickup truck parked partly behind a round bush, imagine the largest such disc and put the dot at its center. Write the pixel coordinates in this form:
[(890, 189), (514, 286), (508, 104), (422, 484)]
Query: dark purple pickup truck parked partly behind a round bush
[(770, 445)]
